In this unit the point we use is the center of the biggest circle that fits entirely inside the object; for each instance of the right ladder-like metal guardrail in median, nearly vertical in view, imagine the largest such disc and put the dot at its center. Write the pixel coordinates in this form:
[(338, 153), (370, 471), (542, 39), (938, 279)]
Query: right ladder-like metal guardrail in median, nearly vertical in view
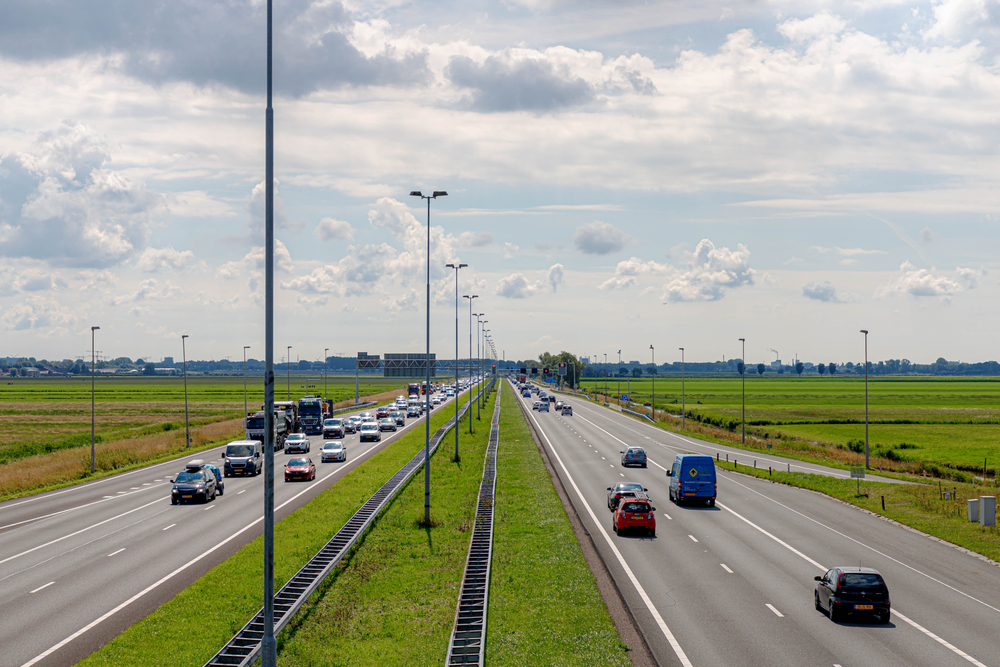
[(468, 638)]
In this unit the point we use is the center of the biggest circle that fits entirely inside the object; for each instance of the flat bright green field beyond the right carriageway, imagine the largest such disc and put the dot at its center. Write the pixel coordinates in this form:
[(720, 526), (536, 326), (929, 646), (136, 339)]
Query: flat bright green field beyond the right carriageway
[(953, 422)]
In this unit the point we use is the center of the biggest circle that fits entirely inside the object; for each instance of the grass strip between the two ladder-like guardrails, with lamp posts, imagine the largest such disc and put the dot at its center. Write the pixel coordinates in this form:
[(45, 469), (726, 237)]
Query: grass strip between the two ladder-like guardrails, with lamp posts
[(393, 600)]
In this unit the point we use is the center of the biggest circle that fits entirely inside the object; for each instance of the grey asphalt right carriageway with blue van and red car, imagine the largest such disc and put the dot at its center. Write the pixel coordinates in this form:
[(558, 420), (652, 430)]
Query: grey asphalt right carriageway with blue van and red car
[(733, 584)]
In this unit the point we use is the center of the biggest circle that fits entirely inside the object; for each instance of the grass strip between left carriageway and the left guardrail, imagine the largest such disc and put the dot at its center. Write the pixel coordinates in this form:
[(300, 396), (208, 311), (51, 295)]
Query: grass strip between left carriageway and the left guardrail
[(189, 629)]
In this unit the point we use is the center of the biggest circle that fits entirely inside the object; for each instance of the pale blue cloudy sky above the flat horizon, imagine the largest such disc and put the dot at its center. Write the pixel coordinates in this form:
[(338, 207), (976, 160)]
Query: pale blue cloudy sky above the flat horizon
[(620, 174)]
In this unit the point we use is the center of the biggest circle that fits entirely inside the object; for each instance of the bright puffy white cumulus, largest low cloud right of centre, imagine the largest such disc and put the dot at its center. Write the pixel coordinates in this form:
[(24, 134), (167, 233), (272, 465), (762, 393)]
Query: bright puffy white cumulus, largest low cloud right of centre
[(710, 271)]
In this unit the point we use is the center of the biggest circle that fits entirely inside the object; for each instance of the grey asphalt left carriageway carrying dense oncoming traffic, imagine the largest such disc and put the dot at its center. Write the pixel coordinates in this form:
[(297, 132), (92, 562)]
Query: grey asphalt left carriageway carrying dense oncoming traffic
[(79, 565)]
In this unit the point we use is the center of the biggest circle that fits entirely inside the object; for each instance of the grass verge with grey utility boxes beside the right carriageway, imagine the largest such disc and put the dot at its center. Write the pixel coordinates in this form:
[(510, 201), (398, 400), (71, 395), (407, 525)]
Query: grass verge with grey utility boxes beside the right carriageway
[(919, 506)]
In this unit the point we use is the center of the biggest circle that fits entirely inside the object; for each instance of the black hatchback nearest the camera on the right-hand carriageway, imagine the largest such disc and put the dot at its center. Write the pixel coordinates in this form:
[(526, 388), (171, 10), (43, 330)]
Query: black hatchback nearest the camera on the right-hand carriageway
[(852, 592)]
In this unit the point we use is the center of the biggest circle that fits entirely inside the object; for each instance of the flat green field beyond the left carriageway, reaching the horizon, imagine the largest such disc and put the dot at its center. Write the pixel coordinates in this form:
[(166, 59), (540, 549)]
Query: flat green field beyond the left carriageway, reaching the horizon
[(38, 415)]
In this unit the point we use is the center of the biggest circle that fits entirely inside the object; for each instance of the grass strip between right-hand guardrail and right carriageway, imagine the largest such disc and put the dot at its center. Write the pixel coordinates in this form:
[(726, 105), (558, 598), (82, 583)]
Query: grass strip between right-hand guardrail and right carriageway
[(545, 608)]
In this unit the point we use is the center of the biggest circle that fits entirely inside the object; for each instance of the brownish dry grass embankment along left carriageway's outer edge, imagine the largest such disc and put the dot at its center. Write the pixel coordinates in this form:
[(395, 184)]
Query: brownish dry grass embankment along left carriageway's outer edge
[(64, 467)]
